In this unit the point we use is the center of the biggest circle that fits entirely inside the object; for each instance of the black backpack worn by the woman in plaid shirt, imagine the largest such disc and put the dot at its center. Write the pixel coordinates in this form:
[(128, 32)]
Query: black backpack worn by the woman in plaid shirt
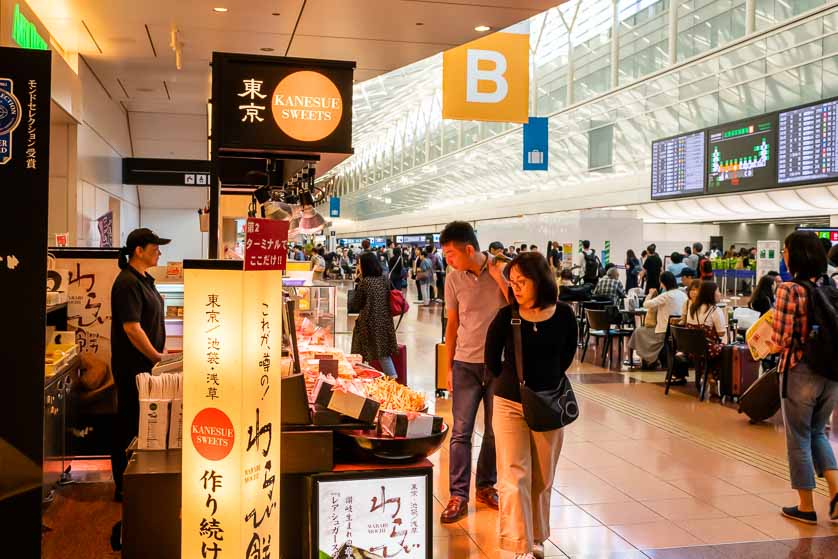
[(820, 349)]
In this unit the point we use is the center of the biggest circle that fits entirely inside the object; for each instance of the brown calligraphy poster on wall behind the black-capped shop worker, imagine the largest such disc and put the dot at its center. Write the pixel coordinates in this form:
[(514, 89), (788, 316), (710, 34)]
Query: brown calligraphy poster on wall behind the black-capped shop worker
[(89, 282)]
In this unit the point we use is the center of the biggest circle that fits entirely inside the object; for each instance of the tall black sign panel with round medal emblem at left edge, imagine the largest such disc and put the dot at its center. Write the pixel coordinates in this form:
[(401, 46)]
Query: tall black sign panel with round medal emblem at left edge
[(24, 174)]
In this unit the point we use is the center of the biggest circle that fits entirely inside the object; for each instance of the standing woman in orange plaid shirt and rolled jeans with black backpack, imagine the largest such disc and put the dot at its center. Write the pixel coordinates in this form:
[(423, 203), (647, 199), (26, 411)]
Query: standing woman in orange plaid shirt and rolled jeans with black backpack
[(806, 331)]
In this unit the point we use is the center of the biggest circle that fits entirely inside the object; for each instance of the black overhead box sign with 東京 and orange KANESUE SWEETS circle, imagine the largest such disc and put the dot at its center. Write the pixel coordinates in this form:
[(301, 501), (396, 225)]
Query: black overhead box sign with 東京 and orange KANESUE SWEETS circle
[(273, 104)]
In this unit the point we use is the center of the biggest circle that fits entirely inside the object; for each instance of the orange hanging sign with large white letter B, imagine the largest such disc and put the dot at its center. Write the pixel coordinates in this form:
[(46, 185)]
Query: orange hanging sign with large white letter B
[(487, 79)]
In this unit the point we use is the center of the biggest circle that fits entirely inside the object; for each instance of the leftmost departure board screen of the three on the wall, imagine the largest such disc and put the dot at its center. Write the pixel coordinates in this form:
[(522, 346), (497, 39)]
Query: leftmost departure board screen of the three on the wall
[(678, 166)]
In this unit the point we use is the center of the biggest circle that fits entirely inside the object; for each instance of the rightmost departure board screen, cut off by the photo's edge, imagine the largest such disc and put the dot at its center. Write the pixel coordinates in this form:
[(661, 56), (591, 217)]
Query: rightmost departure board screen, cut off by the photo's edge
[(808, 144)]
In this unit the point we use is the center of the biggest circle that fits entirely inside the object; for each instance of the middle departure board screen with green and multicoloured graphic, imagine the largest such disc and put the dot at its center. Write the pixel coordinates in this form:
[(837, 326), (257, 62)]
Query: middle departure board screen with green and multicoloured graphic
[(741, 155)]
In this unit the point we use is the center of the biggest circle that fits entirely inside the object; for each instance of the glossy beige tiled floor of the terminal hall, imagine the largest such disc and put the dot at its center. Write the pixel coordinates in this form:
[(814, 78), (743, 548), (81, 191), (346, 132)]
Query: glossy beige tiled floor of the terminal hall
[(627, 489)]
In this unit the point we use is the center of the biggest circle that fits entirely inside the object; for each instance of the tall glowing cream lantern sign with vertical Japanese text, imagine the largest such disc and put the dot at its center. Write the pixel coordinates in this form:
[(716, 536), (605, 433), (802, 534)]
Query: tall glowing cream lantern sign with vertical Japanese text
[(231, 408)]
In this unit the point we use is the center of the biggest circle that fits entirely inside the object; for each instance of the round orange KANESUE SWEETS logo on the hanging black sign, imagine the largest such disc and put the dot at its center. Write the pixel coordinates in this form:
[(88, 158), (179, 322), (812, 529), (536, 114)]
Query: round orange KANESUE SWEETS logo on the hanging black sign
[(307, 106)]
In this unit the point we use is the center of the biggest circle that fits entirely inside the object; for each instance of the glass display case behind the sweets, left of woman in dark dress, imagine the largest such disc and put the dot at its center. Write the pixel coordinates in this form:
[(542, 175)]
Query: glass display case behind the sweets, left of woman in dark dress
[(315, 304)]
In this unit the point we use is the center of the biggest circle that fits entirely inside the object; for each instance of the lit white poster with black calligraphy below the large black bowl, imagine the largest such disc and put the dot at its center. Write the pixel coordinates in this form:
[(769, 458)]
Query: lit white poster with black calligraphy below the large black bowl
[(383, 517)]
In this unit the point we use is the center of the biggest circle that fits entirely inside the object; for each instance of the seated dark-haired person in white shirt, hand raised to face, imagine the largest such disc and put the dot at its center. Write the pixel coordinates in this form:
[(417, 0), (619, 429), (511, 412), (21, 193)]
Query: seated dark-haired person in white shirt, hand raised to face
[(648, 342)]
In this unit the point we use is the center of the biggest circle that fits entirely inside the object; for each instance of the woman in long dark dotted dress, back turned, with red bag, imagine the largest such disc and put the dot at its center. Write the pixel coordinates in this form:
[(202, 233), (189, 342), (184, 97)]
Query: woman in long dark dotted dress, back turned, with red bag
[(374, 335)]
